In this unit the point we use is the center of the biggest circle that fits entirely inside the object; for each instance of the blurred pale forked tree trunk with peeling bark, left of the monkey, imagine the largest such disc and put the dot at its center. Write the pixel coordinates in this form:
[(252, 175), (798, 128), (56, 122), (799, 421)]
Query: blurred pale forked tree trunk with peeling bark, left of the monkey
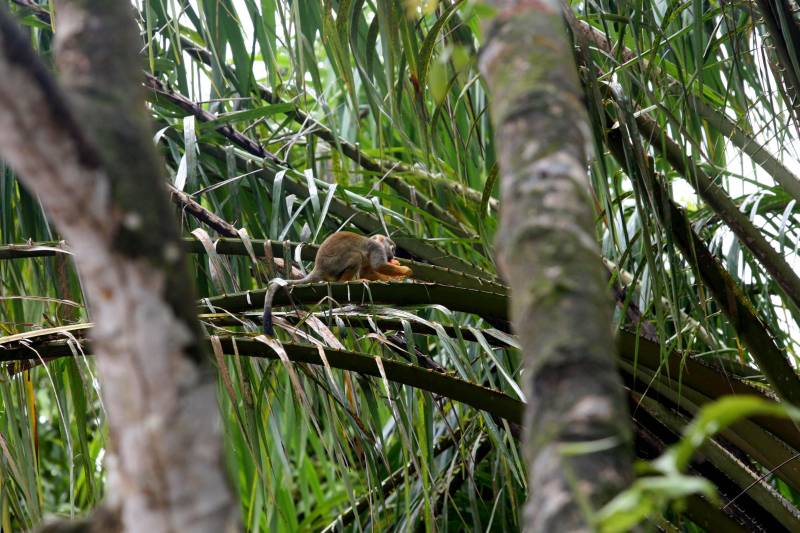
[(98, 178)]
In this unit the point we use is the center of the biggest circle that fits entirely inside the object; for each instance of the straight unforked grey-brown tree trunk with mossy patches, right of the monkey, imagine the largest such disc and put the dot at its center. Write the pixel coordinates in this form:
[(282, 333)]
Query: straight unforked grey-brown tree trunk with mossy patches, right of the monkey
[(577, 434)]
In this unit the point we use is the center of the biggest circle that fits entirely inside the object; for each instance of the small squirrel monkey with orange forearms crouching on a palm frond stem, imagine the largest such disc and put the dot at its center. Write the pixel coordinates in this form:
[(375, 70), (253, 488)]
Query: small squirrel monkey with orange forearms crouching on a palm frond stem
[(344, 256)]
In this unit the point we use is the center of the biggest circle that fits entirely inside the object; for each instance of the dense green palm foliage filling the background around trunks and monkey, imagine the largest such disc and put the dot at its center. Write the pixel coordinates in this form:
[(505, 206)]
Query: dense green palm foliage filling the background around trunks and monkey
[(283, 121)]
